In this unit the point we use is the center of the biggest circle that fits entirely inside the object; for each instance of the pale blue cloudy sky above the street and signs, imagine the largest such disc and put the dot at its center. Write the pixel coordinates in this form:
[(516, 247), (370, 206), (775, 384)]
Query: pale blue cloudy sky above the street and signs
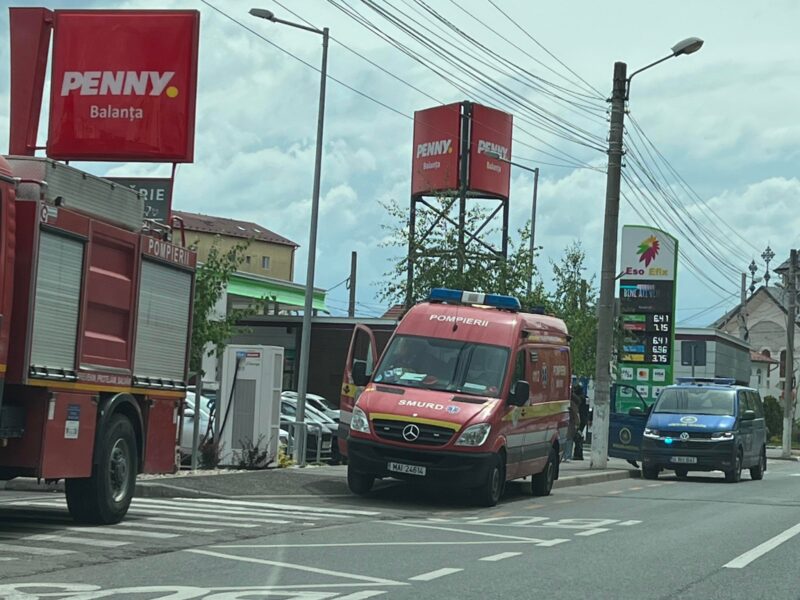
[(712, 139)]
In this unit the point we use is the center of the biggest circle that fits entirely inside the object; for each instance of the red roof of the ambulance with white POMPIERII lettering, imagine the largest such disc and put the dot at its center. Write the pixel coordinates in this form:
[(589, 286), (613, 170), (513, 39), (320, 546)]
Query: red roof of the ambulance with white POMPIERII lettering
[(487, 325)]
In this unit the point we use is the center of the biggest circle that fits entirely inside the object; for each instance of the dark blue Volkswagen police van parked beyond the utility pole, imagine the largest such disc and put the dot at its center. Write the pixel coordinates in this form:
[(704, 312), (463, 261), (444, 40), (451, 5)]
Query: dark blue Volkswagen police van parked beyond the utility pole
[(703, 425)]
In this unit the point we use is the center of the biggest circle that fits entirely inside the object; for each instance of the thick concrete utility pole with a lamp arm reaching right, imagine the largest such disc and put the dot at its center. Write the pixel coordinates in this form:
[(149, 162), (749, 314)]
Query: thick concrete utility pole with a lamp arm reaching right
[(605, 309)]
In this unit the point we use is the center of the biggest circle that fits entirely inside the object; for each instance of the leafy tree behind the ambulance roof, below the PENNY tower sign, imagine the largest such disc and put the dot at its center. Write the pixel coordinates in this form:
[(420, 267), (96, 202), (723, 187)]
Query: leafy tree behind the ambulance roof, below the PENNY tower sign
[(436, 262)]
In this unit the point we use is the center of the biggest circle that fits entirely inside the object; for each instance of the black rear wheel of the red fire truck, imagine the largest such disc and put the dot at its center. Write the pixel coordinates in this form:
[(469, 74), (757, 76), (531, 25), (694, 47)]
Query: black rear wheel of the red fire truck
[(104, 497)]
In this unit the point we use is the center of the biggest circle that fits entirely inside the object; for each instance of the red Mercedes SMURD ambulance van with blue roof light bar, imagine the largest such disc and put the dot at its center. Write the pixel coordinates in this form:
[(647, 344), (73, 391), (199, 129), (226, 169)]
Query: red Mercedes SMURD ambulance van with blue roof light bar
[(470, 392)]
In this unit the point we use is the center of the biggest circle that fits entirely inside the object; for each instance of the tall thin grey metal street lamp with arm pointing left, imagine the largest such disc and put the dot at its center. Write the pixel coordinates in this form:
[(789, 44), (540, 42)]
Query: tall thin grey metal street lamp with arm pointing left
[(305, 339)]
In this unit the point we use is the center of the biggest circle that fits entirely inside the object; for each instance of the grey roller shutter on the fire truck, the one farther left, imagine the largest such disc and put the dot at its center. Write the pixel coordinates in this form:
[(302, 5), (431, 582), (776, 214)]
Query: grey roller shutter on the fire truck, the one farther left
[(57, 301)]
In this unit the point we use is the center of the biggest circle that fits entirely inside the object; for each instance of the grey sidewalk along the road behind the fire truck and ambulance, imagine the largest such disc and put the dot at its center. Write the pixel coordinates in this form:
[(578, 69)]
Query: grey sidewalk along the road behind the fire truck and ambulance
[(294, 481)]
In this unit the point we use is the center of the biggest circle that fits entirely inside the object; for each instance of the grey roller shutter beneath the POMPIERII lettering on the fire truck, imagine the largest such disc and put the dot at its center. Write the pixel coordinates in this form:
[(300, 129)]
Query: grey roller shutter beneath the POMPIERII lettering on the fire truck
[(163, 322)]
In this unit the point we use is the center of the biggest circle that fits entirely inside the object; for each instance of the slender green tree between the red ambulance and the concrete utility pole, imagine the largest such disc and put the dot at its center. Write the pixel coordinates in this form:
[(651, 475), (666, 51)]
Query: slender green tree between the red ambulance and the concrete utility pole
[(575, 301)]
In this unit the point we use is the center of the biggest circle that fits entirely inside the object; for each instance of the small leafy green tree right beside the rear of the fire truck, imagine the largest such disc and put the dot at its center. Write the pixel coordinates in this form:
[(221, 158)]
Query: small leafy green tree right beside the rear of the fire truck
[(211, 279)]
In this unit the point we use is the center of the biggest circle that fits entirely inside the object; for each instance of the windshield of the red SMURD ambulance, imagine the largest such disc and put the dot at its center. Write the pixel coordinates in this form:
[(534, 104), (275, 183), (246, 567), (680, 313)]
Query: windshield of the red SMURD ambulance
[(440, 364)]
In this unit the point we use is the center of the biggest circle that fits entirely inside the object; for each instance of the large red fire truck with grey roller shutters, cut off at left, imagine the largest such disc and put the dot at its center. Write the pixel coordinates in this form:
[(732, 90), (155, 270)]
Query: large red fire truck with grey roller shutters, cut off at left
[(95, 315)]
